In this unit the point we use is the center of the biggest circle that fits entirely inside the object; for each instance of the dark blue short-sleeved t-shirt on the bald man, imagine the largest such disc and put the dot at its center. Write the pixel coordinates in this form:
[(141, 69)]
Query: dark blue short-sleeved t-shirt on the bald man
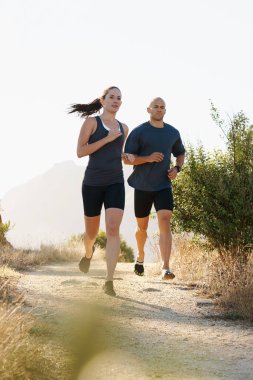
[(145, 140)]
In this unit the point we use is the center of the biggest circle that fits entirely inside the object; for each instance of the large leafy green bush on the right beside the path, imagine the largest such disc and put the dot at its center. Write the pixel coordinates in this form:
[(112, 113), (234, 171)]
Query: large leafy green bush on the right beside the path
[(214, 192)]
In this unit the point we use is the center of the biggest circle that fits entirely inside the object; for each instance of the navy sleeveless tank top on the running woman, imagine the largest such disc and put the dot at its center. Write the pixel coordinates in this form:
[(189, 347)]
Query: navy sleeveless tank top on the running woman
[(104, 166)]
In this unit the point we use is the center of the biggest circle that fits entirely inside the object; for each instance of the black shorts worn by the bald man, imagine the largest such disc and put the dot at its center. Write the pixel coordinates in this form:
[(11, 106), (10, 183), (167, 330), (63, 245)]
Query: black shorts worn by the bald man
[(143, 201)]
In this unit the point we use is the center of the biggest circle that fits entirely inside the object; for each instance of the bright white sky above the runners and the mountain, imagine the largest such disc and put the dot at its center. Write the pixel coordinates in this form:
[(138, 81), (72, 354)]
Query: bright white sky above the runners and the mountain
[(58, 52)]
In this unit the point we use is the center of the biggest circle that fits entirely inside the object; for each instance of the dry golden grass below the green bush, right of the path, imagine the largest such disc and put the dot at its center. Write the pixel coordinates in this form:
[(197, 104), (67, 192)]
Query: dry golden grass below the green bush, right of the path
[(230, 282)]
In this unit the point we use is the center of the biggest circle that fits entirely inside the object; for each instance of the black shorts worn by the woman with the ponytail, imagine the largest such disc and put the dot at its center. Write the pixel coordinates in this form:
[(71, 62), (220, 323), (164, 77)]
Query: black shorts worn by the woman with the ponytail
[(94, 197)]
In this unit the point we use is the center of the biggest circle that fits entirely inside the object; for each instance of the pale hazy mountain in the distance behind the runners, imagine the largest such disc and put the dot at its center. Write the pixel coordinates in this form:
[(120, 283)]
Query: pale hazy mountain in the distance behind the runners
[(48, 208)]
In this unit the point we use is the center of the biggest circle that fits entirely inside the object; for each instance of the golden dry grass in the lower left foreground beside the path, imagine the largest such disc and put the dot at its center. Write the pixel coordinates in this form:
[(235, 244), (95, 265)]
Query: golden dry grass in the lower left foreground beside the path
[(23, 354)]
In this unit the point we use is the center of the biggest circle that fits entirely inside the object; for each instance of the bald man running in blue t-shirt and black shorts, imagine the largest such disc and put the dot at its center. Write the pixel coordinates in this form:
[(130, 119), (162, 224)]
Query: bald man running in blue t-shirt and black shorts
[(152, 144)]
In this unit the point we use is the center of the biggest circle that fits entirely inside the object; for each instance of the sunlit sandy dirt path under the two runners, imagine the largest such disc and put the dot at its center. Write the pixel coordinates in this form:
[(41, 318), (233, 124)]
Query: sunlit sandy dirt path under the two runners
[(162, 330)]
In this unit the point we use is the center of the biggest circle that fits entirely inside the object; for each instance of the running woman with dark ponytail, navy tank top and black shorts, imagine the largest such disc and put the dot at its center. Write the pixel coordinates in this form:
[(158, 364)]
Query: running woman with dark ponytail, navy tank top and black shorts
[(102, 139)]
